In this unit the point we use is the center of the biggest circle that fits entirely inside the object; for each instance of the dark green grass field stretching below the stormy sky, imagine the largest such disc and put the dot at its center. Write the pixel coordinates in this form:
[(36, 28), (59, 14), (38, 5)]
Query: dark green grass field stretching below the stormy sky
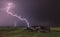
[(19, 32)]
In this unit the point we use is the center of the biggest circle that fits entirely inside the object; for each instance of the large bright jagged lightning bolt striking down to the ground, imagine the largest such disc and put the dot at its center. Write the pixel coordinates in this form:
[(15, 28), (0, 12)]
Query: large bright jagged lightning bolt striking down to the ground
[(19, 17)]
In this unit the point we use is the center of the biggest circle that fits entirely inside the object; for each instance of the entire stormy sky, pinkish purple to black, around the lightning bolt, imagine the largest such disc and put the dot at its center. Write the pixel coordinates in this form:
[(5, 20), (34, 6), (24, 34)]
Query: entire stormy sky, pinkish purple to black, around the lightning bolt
[(35, 11)]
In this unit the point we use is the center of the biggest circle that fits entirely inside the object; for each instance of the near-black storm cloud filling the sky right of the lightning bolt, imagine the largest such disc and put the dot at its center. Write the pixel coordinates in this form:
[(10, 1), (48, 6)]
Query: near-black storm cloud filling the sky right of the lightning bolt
[(42, 10)]
